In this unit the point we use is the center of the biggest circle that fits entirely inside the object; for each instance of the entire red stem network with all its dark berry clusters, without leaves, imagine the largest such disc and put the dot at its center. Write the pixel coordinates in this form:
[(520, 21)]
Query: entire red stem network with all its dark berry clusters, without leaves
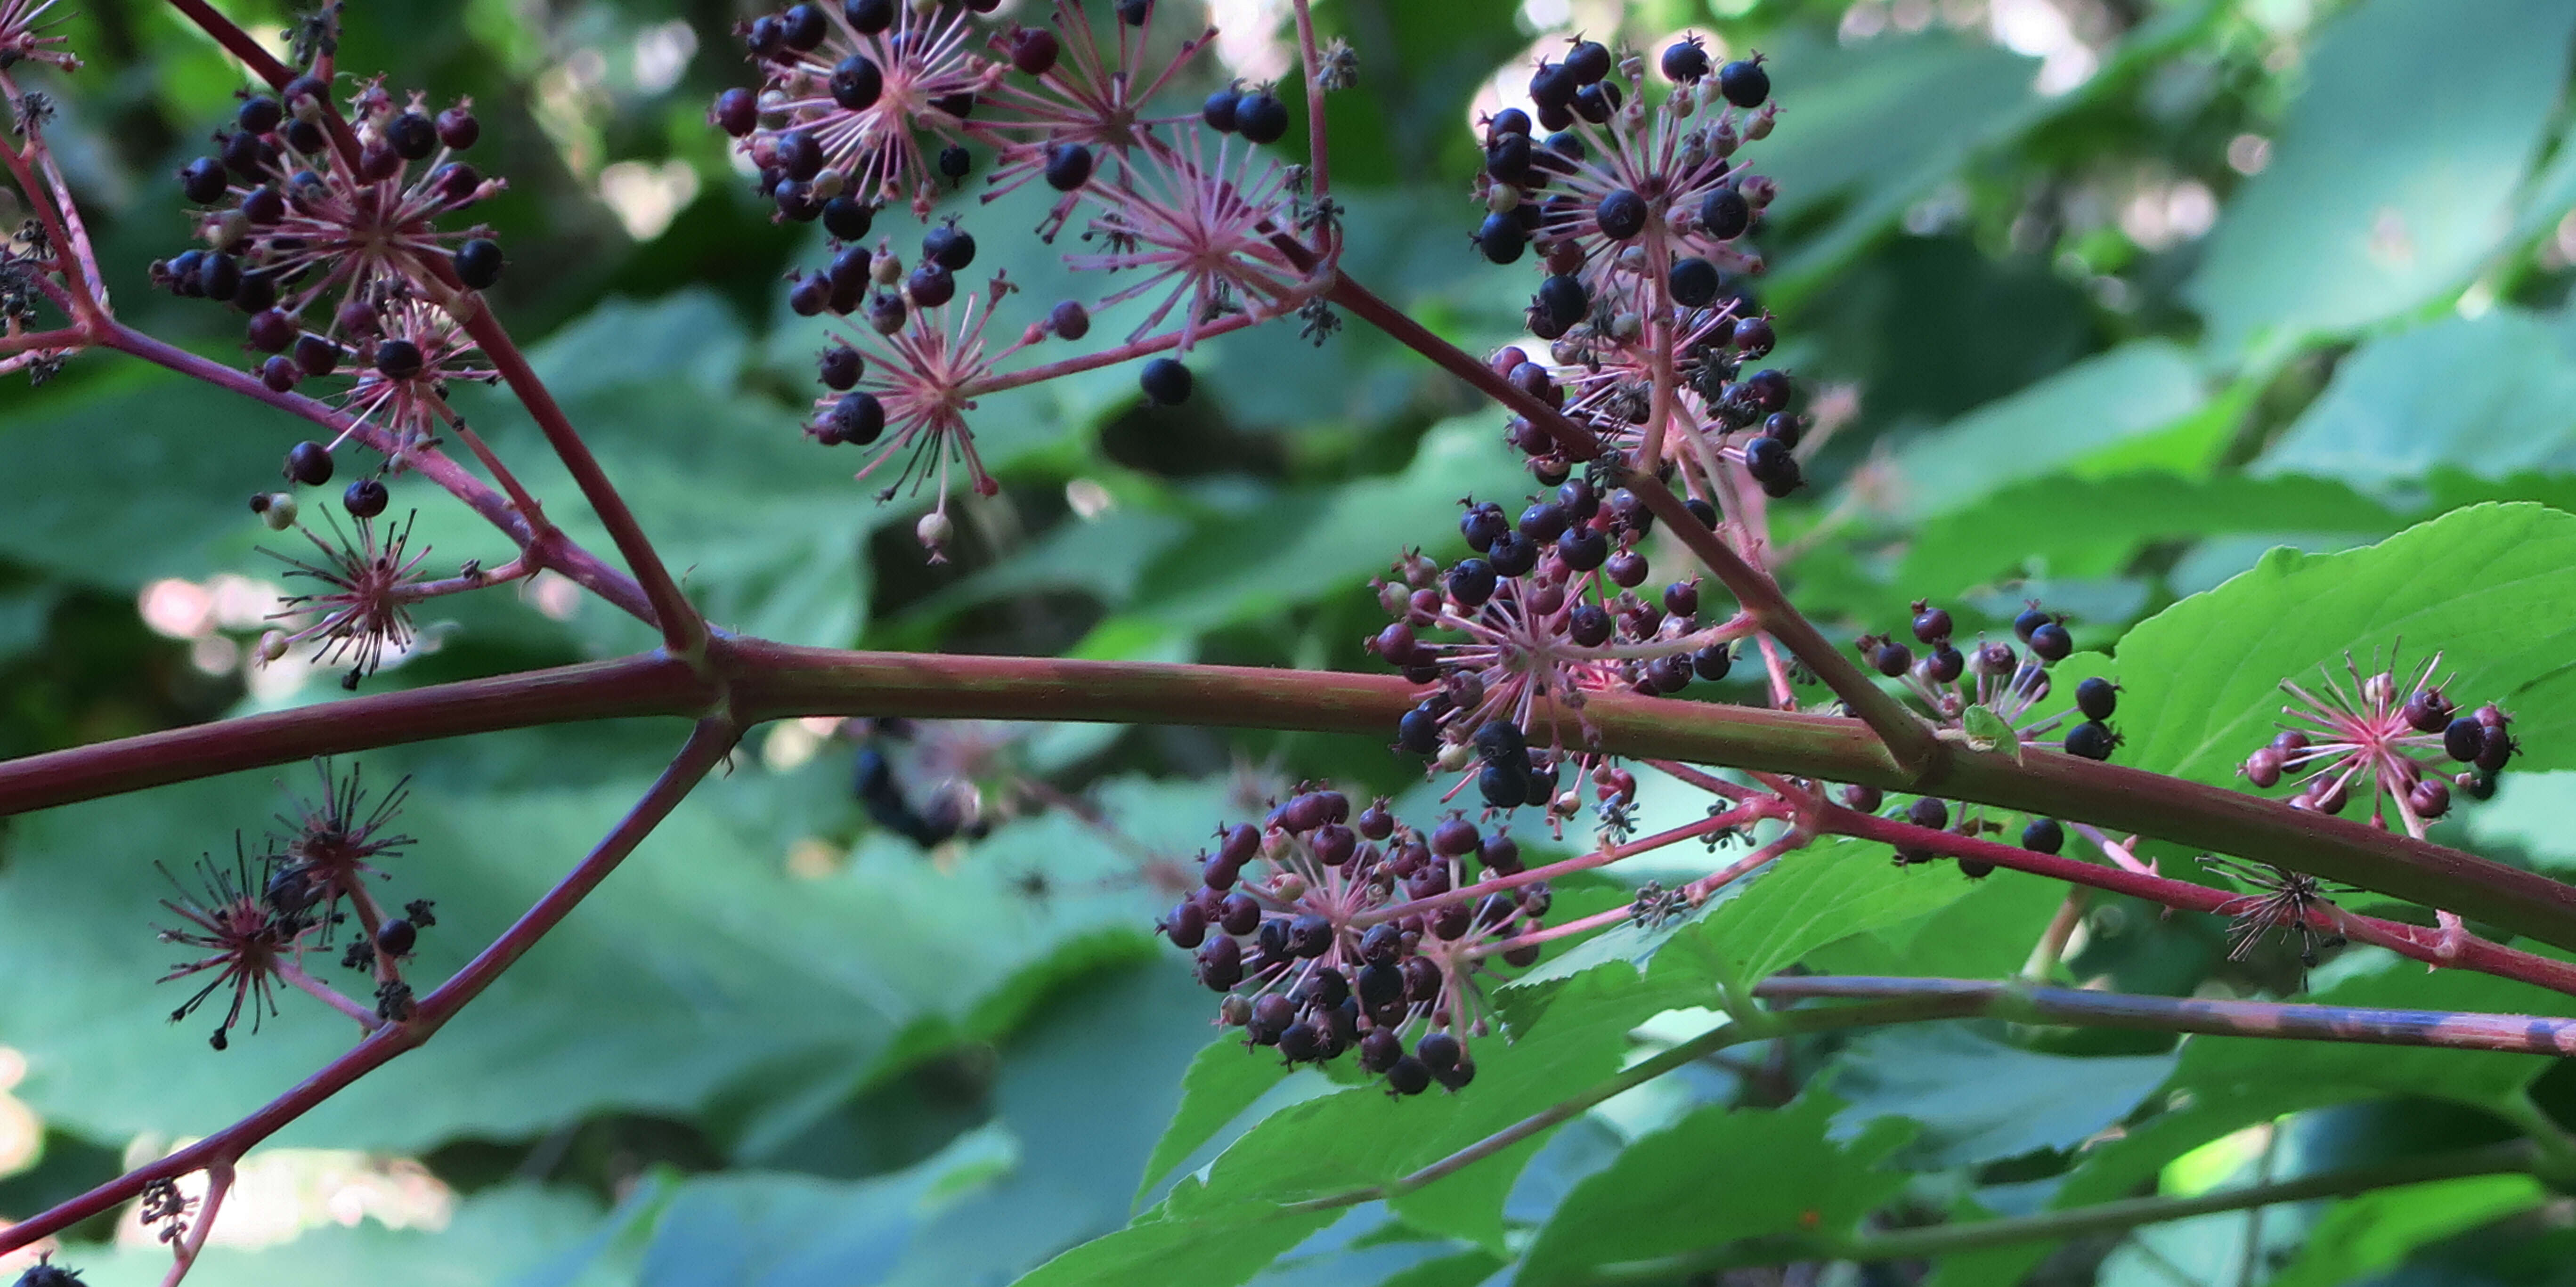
[(1547, 660)]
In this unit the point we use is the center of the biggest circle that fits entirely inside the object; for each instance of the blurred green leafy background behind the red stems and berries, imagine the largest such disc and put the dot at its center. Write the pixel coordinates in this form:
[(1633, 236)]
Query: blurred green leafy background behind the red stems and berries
[(2103, 300)]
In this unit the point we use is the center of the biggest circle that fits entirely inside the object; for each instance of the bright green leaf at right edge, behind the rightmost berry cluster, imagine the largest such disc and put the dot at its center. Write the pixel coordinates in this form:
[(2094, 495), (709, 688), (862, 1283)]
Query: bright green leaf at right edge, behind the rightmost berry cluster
[(2495, 588)]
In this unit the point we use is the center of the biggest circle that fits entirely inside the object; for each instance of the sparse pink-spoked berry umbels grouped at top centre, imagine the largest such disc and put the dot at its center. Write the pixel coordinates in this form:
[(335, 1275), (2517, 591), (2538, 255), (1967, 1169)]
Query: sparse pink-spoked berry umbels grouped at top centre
[(877, 102)]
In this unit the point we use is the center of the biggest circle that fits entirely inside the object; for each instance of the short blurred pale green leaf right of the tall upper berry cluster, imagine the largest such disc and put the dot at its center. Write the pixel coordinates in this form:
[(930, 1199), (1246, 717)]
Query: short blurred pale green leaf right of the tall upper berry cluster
[(2088, 408)]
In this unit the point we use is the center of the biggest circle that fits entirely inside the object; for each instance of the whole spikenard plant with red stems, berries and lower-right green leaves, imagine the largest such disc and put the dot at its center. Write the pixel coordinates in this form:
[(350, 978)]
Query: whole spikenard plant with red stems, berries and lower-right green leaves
[(1439, 964)]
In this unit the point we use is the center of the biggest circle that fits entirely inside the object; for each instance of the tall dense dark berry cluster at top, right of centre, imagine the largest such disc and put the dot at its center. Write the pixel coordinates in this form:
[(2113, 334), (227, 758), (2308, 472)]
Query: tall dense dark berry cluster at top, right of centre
[(1640, 220)]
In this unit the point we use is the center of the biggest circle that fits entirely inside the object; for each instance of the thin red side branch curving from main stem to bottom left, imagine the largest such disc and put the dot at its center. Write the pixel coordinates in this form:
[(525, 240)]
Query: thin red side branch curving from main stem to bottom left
[(705, 750)]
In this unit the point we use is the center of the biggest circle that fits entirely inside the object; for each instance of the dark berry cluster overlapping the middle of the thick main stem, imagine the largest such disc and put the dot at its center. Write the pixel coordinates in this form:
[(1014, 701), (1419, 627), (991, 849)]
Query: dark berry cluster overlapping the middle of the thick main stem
[(1547, 611)]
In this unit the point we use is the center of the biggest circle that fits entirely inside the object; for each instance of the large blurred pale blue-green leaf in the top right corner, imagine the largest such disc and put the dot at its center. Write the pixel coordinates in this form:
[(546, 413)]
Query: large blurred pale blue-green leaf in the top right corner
[(2379, 202)]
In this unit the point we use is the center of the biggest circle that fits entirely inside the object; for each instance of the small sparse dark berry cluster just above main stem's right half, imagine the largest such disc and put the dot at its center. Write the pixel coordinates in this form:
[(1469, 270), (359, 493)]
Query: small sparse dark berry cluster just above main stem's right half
[(2000, 681)]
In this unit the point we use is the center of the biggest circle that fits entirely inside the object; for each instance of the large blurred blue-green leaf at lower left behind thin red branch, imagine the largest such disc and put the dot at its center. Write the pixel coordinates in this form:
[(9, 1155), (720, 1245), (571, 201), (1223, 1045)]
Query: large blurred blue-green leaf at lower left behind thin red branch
[(679, 979)]
